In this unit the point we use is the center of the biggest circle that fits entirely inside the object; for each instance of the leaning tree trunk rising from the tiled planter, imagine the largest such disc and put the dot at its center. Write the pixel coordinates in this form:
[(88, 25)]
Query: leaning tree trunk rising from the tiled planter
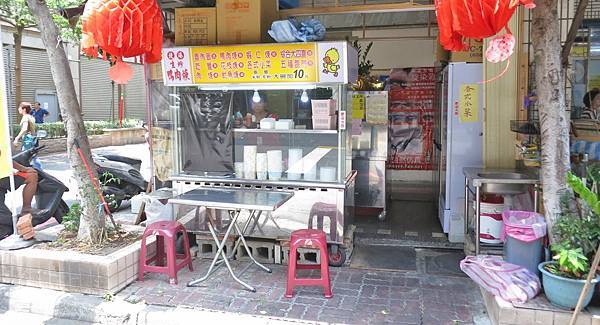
[(92, 221)]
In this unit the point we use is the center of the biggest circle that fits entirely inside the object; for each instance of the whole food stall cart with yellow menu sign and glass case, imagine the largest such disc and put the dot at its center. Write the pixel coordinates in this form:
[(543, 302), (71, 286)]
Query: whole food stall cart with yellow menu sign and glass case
[(261, 116)]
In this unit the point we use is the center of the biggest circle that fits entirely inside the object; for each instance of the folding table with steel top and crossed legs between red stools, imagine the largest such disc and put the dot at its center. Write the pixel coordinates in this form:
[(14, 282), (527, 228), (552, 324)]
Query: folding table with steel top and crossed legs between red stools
[(233, 200)]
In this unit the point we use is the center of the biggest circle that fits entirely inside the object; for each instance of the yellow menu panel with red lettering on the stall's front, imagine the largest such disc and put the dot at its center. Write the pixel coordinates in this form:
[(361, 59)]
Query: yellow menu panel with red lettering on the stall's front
[(255, 63)]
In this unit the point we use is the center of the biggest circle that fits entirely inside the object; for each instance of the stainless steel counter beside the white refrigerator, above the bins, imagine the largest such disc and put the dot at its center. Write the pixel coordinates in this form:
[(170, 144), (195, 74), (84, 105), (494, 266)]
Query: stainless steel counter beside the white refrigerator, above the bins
[(495, 181)]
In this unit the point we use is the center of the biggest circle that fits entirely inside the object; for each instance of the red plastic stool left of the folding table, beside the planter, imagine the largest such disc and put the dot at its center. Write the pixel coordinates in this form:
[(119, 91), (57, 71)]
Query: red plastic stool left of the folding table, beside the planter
[(166, 233)]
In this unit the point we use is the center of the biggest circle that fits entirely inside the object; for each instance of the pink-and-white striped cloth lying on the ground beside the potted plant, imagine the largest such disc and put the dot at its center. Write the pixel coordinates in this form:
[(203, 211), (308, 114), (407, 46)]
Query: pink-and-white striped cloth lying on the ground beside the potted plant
[(508, 281)]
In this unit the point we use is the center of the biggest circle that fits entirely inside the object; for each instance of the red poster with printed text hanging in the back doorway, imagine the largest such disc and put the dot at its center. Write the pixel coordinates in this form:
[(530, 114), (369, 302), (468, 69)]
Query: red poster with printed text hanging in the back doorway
[(412, 93)]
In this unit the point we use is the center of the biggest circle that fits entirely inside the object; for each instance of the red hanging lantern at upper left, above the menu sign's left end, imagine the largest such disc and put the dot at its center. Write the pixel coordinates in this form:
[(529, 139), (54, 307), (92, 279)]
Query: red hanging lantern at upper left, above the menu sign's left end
[(118, 29)]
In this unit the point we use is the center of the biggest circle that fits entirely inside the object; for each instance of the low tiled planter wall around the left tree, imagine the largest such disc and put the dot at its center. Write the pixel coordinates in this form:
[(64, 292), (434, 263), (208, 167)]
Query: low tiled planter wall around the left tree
[(72, 271)]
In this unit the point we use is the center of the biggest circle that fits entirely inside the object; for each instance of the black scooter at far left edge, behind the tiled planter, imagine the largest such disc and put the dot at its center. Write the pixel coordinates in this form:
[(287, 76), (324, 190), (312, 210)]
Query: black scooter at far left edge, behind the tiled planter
[(48, 198)]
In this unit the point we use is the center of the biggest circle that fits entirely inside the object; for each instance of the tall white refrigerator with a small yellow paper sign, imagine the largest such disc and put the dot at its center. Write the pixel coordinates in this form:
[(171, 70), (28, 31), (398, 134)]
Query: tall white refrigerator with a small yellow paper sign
[(458, 140)]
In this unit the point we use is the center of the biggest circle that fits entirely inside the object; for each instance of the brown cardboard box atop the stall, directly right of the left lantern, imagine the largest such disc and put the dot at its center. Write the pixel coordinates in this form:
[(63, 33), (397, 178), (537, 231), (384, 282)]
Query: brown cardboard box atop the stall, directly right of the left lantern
[(195, 26)]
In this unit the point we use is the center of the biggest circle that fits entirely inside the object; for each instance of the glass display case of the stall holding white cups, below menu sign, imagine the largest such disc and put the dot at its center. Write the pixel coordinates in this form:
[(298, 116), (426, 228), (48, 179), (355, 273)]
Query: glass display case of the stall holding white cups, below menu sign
[(277, 138)]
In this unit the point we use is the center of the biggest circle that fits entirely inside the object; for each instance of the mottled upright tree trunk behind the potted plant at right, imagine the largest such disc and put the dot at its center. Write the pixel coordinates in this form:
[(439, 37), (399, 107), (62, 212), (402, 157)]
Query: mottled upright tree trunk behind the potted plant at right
[(554, 122)]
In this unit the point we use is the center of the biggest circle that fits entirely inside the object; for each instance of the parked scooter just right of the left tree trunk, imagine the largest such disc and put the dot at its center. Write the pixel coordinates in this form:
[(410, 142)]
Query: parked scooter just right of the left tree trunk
[(121, 180)]
